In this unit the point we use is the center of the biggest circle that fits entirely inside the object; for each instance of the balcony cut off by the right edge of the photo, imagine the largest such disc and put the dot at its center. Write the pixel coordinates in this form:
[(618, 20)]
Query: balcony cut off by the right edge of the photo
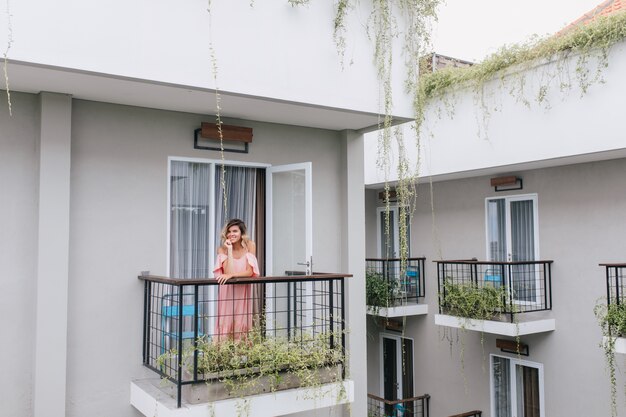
[(616, 304)]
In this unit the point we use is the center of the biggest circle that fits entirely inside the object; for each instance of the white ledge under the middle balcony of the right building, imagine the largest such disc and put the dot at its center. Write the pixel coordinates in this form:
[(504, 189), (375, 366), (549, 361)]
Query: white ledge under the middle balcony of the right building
[(497, 327)]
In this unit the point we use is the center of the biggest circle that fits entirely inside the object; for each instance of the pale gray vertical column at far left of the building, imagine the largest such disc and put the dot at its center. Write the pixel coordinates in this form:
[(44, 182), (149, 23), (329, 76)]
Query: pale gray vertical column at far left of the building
[(52, 256)]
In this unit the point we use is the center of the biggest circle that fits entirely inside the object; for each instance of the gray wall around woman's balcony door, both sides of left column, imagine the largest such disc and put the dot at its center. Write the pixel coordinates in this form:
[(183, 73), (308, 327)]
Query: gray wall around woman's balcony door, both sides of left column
[(117, 229)]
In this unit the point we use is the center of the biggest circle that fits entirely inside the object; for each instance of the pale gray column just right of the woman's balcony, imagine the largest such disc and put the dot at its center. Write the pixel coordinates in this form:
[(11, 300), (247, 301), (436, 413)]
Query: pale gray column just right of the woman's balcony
[(353, 261)]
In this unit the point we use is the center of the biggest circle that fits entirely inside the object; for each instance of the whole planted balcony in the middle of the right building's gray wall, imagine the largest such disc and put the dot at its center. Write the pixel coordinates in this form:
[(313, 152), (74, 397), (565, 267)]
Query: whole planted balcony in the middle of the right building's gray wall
[(502, 298)]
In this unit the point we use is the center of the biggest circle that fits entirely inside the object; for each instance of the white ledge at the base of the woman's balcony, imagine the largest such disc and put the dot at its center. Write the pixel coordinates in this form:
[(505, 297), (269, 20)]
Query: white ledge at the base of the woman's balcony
[(149, 398)]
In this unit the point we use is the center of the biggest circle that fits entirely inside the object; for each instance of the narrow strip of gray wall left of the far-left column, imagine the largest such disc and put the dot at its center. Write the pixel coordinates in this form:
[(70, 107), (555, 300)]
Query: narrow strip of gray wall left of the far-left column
[(19, 175)]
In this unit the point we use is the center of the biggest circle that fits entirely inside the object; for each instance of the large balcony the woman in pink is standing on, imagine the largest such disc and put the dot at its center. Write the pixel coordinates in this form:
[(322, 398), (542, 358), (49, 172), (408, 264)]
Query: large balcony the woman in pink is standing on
[(275, 343)]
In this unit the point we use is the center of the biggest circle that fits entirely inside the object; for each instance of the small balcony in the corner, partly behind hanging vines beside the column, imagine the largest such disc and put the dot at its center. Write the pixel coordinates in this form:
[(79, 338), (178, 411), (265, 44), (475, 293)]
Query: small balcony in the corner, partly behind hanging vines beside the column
[(394, 289)]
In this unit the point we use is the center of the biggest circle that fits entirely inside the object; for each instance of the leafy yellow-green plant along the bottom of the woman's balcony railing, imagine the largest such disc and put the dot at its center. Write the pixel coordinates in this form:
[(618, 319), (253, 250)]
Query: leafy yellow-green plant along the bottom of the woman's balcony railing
[(256, 362)]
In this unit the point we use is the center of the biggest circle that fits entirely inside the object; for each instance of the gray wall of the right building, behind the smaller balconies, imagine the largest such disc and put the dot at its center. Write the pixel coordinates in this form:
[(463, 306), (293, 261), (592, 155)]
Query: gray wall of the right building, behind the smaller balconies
[(581, 223)]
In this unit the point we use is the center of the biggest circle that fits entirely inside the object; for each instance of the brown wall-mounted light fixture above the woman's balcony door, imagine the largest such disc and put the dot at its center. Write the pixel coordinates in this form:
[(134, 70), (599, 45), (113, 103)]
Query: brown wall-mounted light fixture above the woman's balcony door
[(237, 137)]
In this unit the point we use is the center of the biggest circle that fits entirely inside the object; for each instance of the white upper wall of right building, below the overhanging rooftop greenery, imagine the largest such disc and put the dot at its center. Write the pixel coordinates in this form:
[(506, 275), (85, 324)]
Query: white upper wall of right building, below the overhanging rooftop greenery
[(575, 128)]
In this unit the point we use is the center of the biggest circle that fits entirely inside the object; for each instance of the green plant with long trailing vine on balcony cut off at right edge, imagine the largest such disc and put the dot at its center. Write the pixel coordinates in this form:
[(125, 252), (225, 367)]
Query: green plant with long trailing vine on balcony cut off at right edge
[(612, 320)]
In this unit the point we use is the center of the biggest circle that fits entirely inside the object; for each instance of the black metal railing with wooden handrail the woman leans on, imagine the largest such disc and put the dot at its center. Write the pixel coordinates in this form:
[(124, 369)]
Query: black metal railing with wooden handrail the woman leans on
[(181, 316)]
